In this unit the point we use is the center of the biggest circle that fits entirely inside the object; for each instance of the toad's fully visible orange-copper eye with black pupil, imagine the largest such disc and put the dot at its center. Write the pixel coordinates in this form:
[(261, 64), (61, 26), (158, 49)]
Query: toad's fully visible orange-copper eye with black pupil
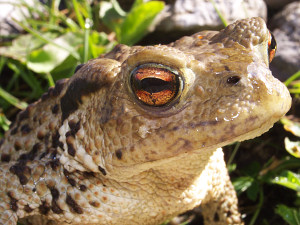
[(155, 84)]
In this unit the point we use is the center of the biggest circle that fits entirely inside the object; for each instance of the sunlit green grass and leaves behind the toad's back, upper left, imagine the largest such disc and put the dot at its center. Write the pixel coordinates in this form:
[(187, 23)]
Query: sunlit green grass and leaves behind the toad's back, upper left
[(56, 40)]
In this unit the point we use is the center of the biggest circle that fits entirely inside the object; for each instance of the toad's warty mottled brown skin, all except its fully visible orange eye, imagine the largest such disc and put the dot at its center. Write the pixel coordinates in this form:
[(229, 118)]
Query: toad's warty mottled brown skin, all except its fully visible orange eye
[(90, 152)]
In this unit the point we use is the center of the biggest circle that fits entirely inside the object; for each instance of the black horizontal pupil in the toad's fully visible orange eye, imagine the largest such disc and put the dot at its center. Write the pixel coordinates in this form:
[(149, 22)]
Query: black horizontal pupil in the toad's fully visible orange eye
[(154, 85)]
